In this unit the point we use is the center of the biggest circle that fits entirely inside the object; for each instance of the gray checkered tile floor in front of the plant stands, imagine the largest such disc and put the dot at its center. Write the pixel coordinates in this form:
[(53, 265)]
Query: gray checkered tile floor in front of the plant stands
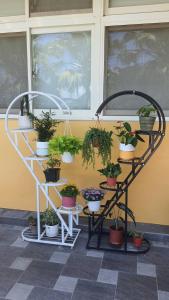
[(42, 272)]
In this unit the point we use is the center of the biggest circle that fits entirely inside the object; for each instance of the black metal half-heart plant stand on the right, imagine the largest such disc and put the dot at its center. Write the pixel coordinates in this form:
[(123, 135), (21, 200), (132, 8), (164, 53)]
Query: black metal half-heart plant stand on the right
[(98, 235)]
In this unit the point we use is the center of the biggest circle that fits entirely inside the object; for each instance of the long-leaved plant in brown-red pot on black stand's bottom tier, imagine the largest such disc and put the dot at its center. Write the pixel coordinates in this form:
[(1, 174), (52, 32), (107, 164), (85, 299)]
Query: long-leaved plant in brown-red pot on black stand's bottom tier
[(116, 233)]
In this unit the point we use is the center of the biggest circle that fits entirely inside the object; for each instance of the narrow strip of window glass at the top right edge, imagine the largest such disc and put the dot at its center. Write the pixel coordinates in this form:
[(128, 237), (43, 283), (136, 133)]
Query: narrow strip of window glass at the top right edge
[(115, 3)]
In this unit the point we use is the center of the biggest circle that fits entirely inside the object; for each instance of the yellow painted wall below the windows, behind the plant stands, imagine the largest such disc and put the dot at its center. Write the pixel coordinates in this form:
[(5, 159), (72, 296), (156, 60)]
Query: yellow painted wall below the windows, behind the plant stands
[(148, 196)]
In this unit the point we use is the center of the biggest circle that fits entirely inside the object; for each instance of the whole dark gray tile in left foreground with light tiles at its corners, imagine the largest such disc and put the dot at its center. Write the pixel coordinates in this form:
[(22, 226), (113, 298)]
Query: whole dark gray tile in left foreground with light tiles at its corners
[(41, 273)]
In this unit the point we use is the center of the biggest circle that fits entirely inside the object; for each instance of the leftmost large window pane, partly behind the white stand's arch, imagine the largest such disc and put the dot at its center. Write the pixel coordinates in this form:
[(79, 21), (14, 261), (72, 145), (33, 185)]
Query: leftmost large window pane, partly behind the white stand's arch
[(13, 67)]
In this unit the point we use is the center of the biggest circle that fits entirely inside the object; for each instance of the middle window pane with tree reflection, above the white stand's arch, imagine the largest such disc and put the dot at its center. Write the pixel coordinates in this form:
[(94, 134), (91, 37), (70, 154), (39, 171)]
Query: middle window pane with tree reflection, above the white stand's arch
[(62, 66)]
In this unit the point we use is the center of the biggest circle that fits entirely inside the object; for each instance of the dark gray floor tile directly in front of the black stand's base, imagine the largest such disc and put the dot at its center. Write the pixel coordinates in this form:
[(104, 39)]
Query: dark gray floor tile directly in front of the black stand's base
[(120, 262)]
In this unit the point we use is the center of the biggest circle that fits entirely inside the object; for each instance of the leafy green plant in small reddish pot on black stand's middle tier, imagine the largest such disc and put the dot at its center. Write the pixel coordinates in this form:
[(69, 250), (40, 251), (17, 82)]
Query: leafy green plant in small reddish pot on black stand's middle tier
[(112, 171)]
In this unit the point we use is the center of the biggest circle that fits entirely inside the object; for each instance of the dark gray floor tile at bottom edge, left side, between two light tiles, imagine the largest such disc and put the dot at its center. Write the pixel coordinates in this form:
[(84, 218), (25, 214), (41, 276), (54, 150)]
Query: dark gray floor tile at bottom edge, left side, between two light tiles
[(48, 294)]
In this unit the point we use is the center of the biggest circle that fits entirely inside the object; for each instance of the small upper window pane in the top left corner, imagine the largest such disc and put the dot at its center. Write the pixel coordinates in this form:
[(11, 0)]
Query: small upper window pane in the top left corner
[(12, 8)]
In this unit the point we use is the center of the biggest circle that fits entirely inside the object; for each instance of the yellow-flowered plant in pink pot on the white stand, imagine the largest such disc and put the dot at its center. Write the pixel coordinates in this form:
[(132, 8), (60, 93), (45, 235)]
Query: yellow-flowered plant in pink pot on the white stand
[(69, 193)]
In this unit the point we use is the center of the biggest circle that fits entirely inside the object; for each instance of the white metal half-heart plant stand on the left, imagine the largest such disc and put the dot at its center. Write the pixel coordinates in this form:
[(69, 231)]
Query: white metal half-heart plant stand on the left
[(67, 232)]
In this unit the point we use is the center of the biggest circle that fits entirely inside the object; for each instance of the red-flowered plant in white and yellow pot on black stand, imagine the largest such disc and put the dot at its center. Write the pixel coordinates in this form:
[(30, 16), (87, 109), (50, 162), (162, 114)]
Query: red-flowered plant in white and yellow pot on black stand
[(128, 140)]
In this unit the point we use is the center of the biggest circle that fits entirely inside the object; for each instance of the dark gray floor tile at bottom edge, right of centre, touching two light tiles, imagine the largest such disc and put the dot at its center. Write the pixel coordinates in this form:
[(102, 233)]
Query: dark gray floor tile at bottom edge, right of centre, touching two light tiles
[(136, 287)]
